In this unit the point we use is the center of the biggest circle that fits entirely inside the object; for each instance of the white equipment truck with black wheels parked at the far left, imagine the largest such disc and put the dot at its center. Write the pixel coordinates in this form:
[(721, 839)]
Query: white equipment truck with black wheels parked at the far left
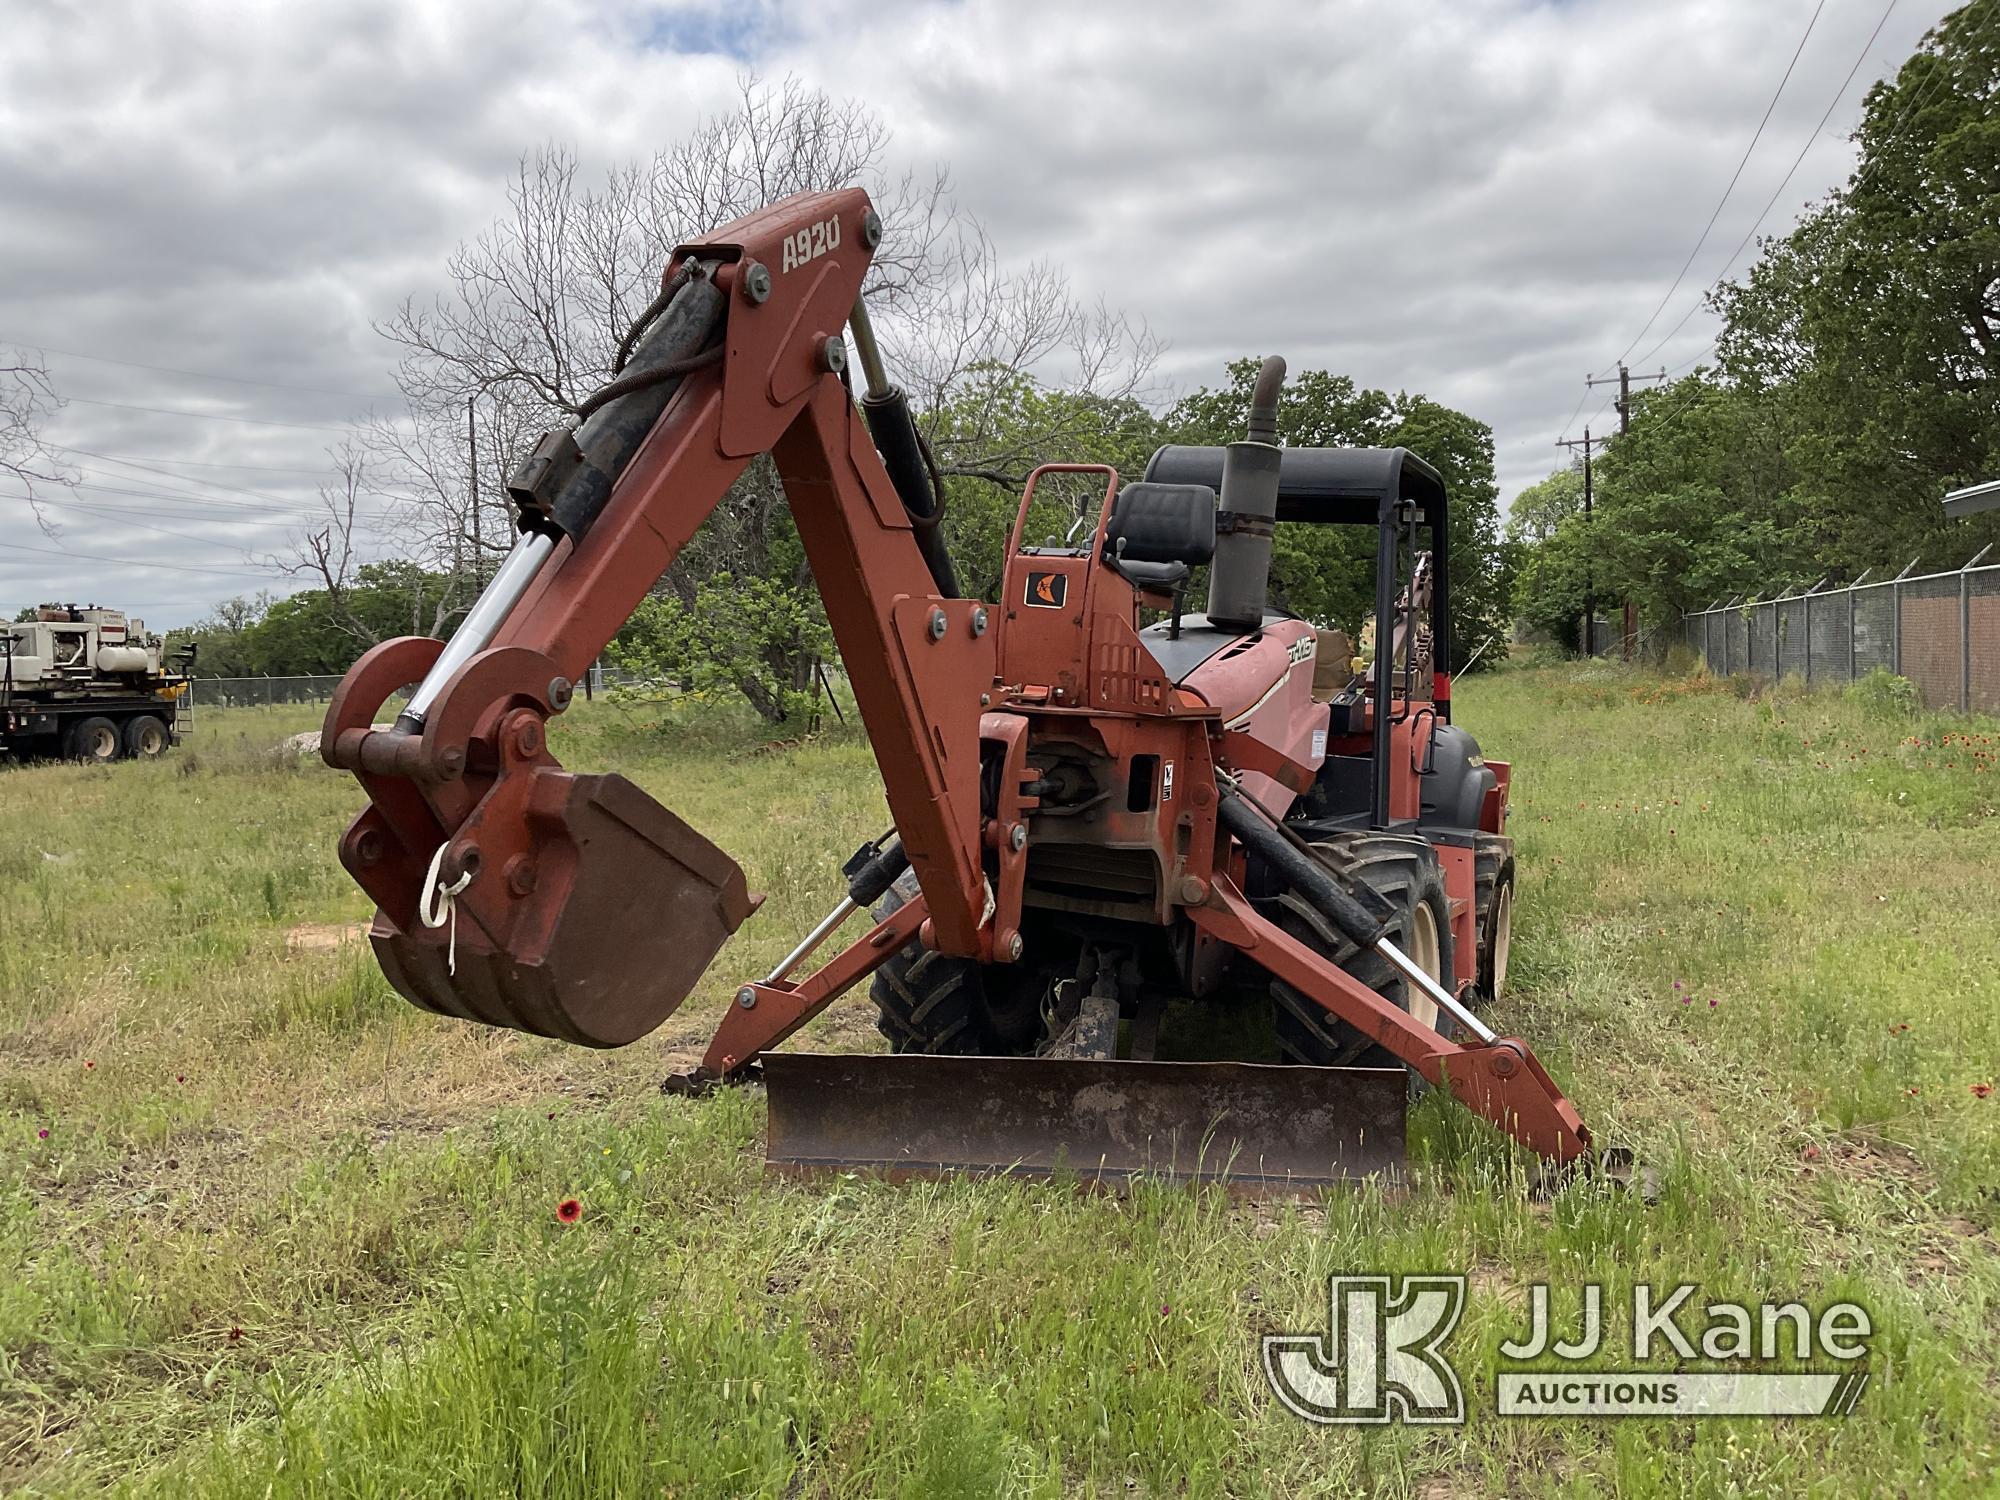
[(87, 685)]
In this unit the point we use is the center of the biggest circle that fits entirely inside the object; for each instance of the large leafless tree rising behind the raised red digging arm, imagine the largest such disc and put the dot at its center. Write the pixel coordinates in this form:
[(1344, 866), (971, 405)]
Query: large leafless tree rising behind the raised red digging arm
[(533, 315)]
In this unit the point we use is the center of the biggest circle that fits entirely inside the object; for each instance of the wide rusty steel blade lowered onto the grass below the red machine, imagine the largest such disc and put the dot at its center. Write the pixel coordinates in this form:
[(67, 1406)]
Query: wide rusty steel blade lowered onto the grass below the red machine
[(1253, 1127)]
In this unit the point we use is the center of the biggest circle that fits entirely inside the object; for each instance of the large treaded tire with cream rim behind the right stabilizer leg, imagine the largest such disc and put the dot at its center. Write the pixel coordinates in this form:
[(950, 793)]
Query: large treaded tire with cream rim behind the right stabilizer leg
[(1409, 877)]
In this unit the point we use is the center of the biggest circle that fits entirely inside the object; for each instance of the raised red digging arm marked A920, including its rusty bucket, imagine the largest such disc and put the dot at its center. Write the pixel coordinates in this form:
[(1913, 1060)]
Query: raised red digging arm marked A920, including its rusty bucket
[(521, 895)]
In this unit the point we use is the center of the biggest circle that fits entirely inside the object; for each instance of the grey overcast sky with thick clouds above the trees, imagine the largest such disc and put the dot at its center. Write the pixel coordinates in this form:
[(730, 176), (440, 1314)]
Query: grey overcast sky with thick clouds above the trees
[(205, 207)]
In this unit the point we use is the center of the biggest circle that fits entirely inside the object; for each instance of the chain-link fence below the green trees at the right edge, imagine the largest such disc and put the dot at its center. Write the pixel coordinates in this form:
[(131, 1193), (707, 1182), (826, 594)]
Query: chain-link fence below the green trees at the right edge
[(1939, 631)]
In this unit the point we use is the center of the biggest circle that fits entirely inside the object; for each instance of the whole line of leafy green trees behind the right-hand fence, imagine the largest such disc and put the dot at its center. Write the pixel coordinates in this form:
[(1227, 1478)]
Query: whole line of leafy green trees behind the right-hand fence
[(1855, 383)]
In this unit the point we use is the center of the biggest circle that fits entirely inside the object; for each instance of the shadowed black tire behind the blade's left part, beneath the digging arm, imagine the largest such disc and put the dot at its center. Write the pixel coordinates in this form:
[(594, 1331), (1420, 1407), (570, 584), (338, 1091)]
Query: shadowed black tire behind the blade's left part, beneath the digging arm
[(935, 1003)]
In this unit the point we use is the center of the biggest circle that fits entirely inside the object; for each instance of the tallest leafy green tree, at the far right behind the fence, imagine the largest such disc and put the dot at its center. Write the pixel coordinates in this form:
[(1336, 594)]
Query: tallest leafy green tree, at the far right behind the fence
[(1871, 335)]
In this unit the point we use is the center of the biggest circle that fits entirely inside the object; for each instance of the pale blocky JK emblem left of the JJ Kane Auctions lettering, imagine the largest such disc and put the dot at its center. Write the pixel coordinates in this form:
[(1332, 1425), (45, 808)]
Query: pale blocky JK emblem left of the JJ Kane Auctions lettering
[(1381, 1359)]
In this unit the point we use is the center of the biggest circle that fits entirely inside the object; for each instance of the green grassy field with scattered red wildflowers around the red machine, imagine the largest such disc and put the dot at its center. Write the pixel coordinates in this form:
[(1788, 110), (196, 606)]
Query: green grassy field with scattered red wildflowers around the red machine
[(269, 1231)]
